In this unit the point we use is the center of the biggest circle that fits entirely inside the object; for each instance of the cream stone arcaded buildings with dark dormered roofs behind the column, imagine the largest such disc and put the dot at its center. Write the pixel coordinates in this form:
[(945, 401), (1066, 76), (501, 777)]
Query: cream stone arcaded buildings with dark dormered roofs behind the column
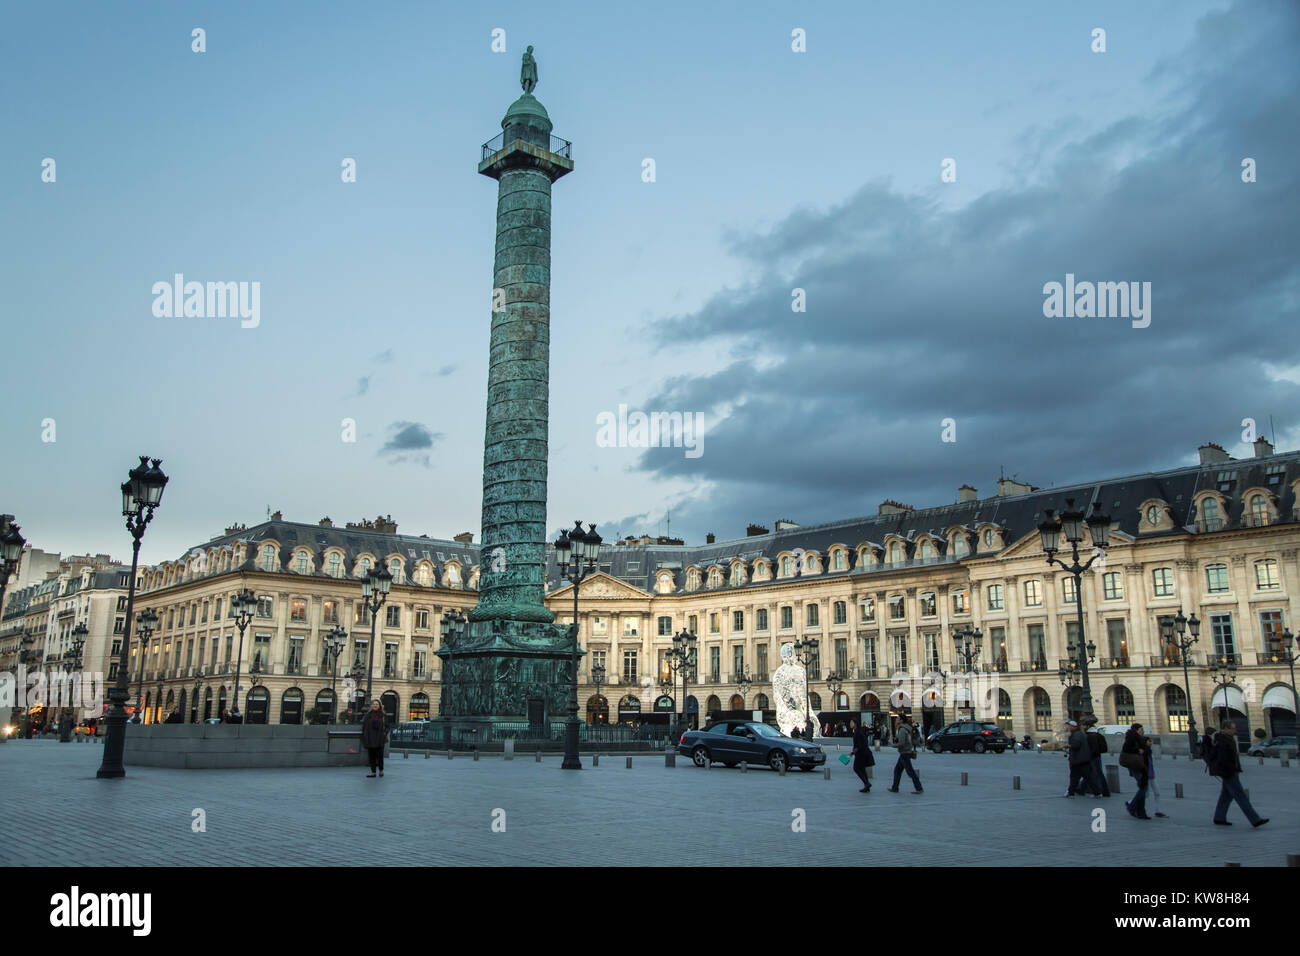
[(883, 595)]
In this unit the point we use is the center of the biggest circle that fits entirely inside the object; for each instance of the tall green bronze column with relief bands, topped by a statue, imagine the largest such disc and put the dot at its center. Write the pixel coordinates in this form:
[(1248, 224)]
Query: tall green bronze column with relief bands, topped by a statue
[(514, 663)]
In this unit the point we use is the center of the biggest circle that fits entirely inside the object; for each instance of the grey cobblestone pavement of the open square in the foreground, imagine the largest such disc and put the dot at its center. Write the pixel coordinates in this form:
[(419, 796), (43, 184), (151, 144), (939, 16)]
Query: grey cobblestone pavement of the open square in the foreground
[(440, 812)]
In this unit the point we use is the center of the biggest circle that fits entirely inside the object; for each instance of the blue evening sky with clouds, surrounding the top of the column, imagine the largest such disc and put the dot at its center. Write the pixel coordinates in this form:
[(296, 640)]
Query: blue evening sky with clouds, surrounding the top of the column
[(922, 360)]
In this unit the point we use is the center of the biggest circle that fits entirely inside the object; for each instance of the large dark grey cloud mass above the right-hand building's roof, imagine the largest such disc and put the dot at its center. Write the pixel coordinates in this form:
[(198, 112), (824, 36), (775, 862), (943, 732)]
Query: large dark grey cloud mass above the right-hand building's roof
[(917, 314)]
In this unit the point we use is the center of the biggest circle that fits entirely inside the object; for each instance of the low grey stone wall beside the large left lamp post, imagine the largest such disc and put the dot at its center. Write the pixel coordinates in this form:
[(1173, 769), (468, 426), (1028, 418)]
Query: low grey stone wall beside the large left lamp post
[(224, 746)]
